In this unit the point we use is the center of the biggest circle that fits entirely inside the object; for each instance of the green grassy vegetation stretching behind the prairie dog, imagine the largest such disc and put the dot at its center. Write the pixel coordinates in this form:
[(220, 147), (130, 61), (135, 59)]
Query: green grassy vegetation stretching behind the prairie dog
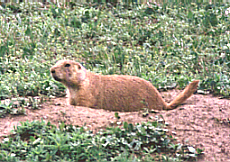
[(165, 45)]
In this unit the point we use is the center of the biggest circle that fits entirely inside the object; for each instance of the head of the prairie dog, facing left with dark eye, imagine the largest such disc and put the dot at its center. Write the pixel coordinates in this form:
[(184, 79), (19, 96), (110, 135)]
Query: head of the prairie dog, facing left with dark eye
[(68, 72)]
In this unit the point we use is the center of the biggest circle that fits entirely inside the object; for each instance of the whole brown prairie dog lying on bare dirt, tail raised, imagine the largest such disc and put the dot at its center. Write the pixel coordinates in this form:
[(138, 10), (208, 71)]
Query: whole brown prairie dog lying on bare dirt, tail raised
[(112, 92)]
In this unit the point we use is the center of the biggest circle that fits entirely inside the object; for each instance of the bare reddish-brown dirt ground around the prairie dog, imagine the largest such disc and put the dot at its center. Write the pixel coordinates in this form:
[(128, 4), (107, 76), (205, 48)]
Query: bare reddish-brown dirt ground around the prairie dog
[(202, 121)]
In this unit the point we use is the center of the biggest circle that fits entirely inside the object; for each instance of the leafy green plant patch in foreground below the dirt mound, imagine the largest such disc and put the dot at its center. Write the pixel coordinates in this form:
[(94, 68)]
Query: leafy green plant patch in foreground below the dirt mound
[(41, 141)]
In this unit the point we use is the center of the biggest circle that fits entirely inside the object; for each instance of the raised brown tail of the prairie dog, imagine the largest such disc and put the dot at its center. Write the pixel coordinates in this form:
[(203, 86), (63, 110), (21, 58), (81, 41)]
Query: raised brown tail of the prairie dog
[(187, 92)]
